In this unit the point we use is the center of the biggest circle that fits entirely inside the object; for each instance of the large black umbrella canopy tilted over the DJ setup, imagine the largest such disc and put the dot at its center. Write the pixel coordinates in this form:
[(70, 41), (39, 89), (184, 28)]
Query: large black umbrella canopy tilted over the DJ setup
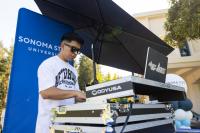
[(119, 40)]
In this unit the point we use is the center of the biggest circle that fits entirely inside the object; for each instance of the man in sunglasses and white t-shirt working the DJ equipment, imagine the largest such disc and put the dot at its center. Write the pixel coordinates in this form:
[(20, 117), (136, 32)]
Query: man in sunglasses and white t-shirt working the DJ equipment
[(58, 81)]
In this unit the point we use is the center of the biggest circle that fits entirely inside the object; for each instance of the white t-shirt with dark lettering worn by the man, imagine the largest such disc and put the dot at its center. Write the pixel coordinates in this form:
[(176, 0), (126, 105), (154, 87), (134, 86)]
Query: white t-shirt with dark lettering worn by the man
[(54, 72)]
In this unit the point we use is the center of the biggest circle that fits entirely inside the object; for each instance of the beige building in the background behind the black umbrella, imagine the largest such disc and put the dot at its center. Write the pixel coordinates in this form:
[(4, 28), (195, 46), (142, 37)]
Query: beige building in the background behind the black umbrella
[(184, 62)]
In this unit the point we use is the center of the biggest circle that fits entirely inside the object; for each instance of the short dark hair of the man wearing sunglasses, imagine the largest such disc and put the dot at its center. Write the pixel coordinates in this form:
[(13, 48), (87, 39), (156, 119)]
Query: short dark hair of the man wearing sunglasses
[(72, 37)]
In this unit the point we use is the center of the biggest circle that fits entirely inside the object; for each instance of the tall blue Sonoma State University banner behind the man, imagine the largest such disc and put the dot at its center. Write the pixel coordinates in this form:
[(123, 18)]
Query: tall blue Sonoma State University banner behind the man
[(37, 38)]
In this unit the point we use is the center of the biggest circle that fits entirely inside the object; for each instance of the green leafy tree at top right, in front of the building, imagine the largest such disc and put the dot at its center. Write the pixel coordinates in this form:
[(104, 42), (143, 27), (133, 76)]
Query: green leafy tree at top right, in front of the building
[(183, 21)]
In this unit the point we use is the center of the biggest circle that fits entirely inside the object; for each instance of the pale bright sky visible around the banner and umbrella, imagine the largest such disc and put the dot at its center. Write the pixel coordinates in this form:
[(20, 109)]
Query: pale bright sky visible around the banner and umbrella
[(9, 11)]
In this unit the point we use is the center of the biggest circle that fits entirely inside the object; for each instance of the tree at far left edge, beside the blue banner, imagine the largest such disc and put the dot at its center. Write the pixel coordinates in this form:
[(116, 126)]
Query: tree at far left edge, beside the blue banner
[(5, 65)]
